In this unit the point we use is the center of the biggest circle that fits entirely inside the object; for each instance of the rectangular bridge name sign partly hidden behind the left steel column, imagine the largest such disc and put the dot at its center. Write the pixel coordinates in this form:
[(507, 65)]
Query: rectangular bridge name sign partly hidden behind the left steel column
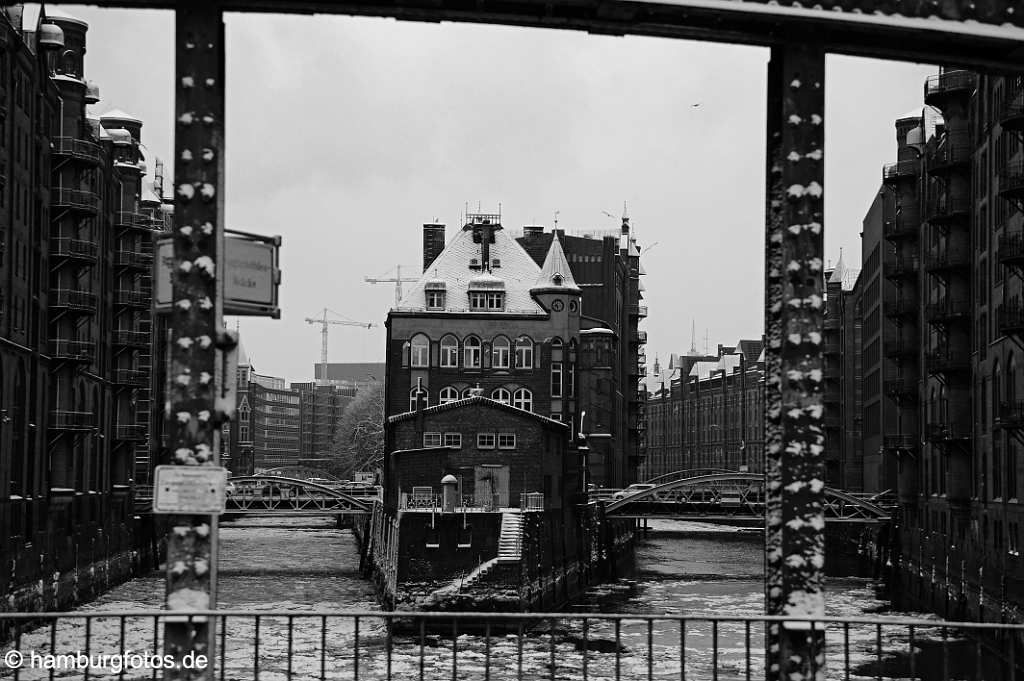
[(252, 274)]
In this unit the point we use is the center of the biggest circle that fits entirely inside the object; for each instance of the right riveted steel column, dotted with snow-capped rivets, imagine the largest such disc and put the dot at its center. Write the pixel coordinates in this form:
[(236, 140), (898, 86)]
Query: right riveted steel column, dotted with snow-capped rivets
[(794, 322)]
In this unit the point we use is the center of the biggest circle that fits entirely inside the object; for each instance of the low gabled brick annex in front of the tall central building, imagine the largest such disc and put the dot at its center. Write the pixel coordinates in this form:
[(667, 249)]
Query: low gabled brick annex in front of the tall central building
[(496, 452)]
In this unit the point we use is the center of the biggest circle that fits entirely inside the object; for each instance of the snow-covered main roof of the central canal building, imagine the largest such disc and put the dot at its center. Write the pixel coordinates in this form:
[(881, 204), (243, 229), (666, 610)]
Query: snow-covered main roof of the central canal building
[(519, 273)]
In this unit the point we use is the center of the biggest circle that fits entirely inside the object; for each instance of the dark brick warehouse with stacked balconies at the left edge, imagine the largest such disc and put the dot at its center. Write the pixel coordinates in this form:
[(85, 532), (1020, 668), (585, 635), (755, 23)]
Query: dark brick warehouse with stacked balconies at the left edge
[(75, 287)]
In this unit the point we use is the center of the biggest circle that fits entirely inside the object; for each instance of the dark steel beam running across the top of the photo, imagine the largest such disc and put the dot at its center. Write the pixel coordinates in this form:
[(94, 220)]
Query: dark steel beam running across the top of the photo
[(923, 31)]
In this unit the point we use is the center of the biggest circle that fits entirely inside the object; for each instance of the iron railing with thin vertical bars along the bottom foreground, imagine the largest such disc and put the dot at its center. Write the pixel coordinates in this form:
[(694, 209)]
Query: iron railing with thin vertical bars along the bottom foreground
[(508, 646)]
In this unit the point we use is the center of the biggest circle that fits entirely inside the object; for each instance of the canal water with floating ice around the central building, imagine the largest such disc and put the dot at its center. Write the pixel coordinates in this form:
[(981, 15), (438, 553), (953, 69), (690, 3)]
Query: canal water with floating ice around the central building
[(303, 565)]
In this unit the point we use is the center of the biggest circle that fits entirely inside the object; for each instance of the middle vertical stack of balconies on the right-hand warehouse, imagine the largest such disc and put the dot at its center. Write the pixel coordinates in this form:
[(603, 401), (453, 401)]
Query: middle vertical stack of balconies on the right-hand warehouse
[(949, 264)]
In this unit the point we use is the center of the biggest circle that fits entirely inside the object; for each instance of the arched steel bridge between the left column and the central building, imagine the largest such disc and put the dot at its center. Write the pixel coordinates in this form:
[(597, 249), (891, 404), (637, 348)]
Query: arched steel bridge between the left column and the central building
[(275, 495)]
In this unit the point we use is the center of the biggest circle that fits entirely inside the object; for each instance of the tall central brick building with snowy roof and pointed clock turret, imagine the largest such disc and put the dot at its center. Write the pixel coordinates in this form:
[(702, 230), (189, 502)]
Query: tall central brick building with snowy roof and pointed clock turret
[(485, 315)]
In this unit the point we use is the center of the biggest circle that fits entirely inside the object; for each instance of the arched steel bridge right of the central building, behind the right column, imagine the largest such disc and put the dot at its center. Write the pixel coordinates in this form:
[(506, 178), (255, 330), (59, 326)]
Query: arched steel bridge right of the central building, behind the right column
[(733, 495)]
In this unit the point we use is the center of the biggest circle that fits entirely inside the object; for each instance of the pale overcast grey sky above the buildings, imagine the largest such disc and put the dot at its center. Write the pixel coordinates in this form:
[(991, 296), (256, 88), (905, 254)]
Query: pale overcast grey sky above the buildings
[(347, 135)]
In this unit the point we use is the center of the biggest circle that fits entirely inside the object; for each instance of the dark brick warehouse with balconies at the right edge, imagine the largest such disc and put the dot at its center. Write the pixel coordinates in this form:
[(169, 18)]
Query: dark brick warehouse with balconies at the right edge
[(931, 342)]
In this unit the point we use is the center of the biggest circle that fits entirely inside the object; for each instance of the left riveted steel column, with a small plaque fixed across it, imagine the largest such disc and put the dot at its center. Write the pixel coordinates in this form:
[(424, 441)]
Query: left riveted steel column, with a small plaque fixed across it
[(196, 318)]
